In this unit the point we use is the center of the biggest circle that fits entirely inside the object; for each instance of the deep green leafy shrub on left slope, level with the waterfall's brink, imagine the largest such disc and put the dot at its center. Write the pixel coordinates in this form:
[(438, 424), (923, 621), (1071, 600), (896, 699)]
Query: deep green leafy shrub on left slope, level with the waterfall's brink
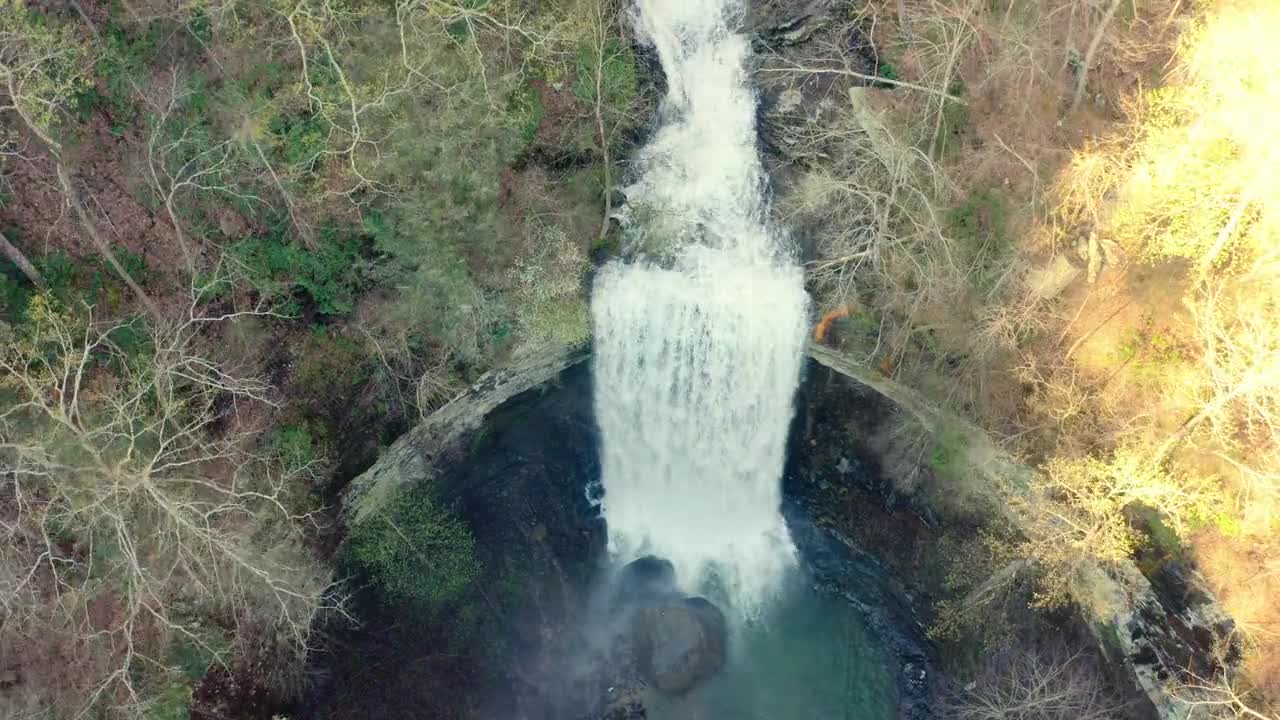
[(328, 276)]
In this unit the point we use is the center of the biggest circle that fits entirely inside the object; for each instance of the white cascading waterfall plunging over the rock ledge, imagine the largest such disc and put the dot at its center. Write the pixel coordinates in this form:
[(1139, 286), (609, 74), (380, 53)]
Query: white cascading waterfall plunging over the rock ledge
[(698, 356)]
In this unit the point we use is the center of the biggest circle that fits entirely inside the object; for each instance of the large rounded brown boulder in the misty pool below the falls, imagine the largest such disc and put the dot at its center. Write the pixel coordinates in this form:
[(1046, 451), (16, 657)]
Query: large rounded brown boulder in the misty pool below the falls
[(679, 644)]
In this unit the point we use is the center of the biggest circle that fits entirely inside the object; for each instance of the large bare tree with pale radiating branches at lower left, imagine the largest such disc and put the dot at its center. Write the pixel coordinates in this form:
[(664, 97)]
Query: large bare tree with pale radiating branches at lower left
[(129, 479)]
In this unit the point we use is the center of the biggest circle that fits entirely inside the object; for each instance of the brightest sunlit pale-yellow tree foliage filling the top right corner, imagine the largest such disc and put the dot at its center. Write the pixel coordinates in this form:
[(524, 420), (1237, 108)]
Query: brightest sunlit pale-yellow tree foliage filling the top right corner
[(1200, 179)]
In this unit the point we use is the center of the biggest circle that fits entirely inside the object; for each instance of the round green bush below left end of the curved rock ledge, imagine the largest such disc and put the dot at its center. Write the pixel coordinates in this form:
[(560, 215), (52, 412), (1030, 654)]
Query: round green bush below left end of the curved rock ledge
[(415, 552)]
